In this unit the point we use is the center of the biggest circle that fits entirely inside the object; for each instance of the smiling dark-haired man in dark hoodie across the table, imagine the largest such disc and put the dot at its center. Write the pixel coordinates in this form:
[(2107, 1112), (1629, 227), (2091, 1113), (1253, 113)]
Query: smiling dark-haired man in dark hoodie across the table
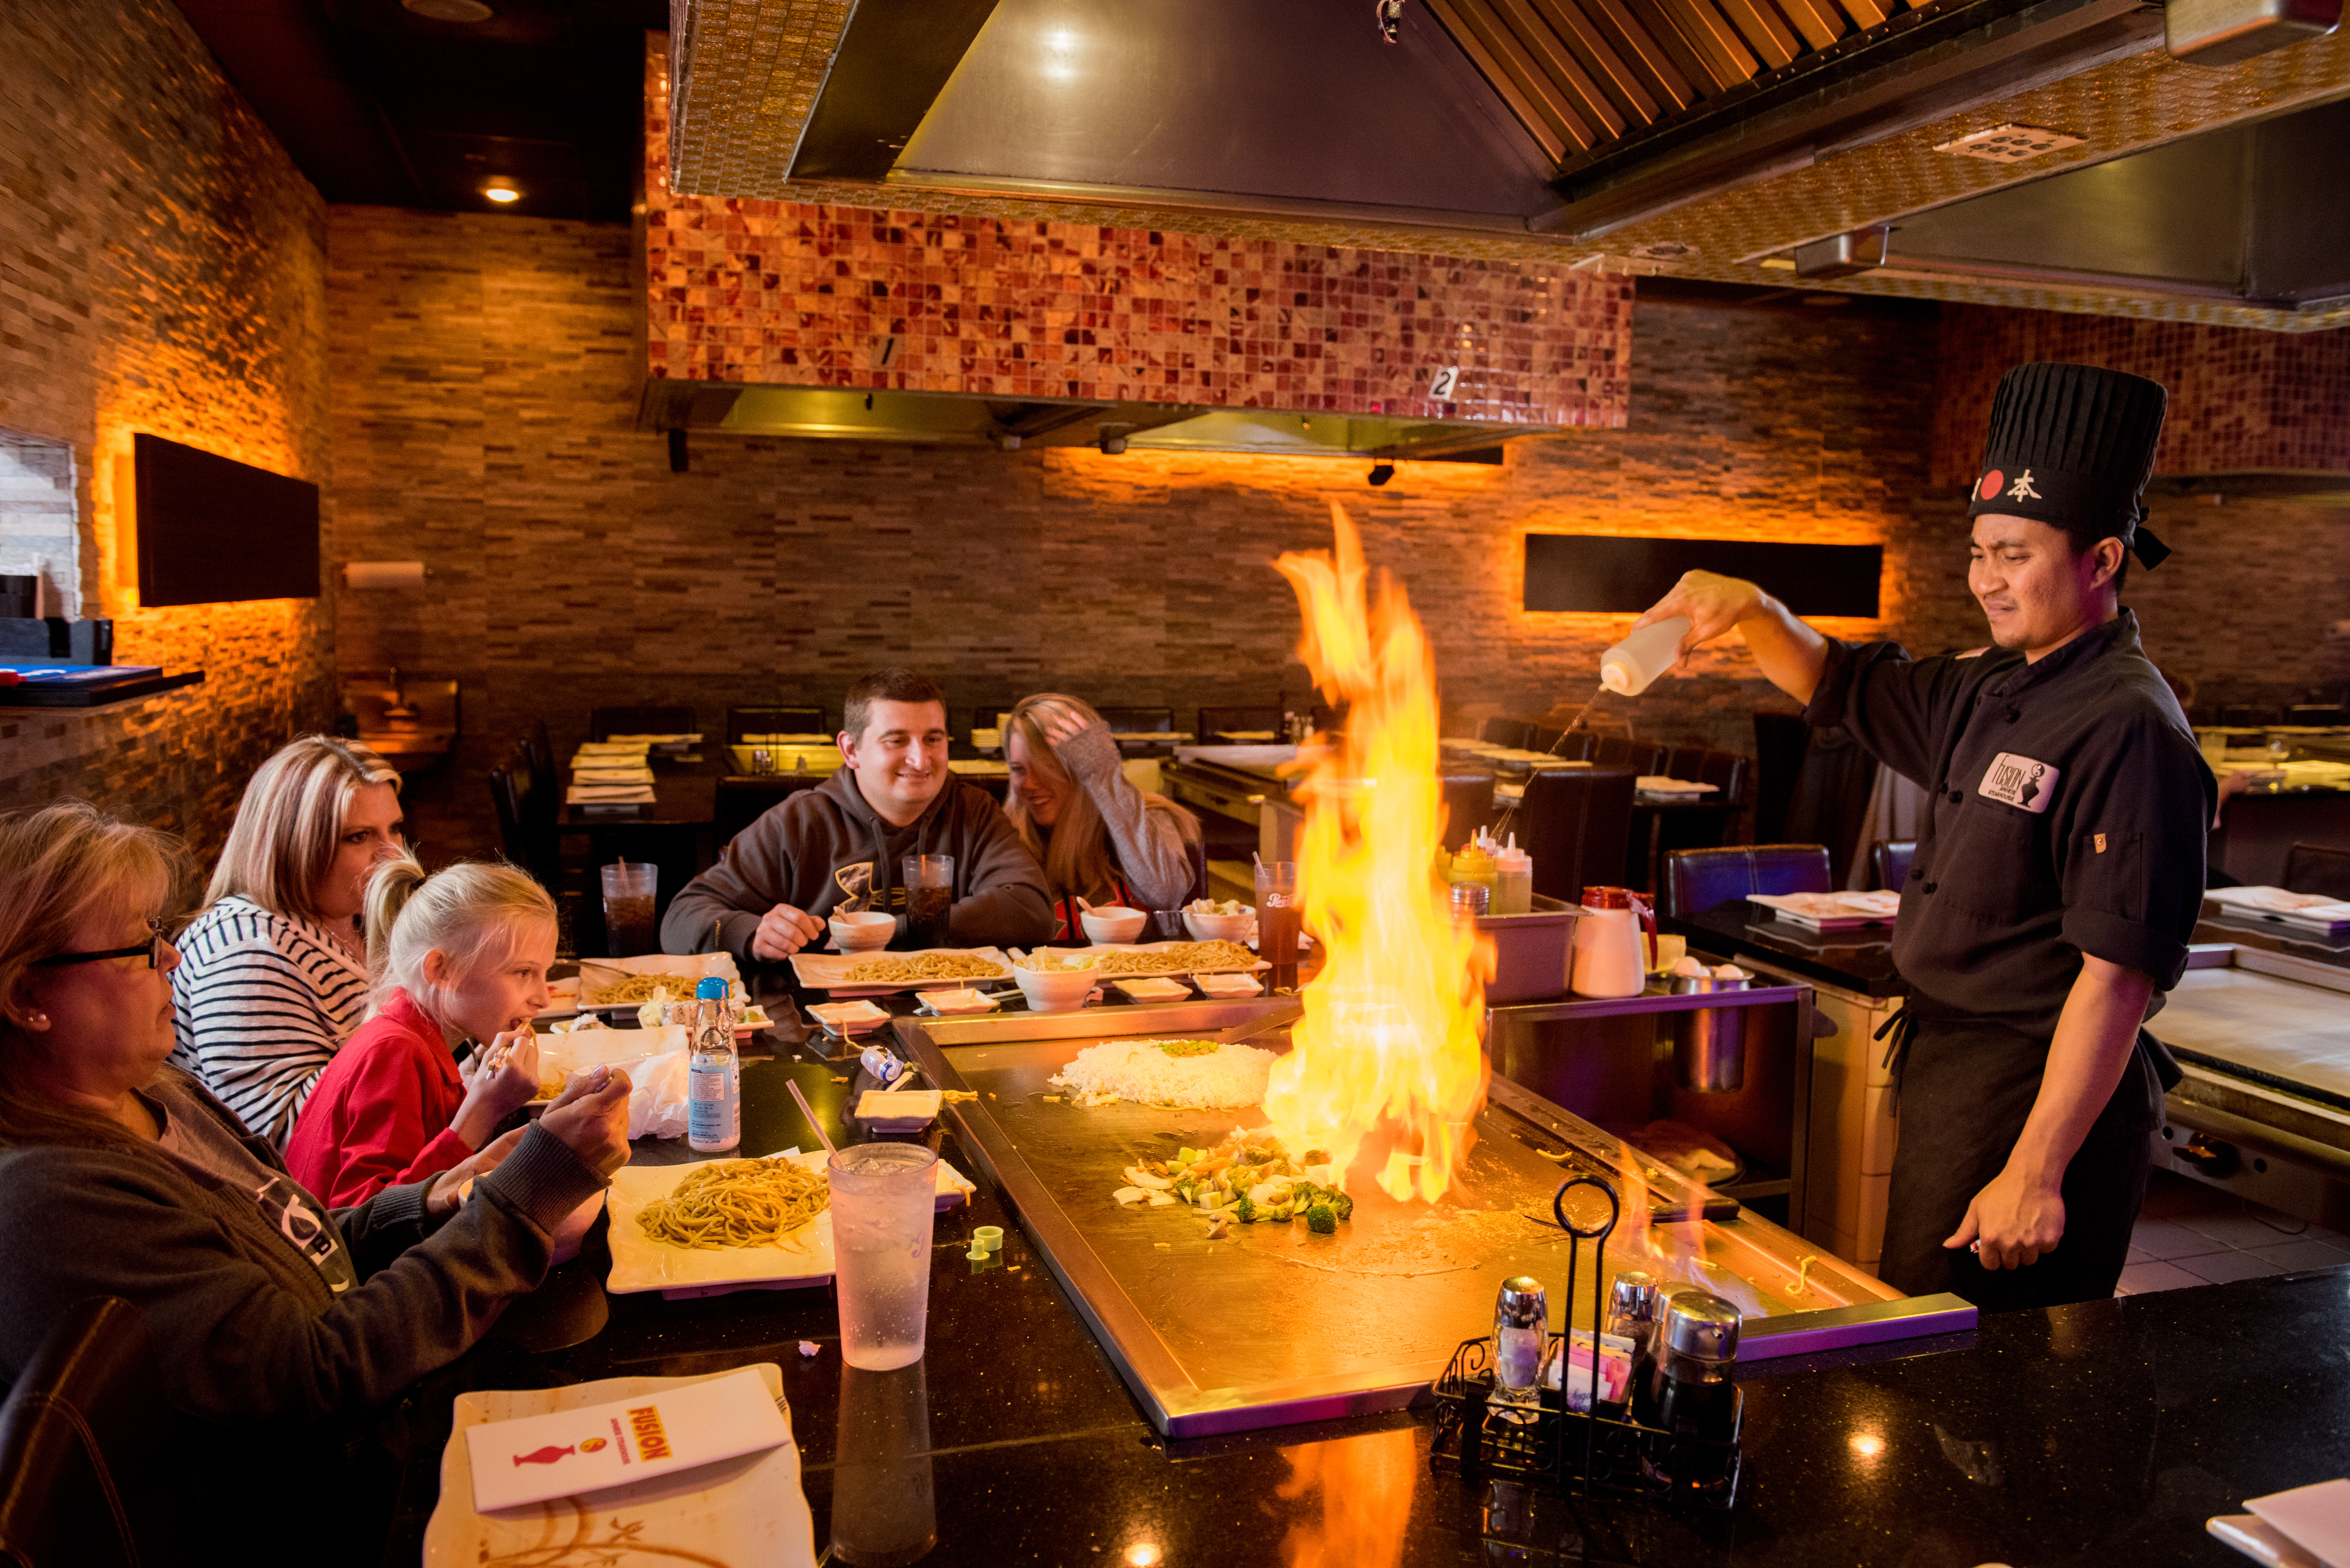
[(779, 878)]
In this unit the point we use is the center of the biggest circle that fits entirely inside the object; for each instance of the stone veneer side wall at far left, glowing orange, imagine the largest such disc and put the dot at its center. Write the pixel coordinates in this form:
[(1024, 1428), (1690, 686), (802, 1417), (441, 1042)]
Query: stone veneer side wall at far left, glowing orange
[(161, 269)]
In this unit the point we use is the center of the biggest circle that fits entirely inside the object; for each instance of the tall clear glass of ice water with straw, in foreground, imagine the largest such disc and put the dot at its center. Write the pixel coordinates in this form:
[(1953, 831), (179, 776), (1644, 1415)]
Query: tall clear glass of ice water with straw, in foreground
[(882, 1205)]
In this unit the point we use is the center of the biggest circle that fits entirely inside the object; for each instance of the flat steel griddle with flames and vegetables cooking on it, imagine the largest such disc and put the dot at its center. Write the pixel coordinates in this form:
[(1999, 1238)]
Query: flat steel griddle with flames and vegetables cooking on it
[(1277, 1325)]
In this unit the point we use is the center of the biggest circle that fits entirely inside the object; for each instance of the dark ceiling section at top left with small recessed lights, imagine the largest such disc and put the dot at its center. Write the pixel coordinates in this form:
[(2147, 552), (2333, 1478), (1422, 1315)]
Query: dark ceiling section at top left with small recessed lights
[(387, 107)]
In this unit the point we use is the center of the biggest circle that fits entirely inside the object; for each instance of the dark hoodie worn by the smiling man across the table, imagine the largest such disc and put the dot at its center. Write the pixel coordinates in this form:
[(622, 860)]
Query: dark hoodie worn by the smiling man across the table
[(793, 852)]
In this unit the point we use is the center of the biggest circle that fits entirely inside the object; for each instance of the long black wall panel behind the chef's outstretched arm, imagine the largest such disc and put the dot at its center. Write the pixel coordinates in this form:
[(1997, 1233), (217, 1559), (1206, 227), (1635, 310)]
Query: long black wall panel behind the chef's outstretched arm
[(1618, 577)]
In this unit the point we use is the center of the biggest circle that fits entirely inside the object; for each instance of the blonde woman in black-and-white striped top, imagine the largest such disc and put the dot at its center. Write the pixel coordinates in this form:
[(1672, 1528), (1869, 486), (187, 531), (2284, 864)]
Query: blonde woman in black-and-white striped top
[(274, 970)]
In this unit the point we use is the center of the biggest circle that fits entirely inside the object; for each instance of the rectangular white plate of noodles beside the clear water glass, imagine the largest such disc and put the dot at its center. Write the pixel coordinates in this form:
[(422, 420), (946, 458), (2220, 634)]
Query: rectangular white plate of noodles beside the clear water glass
[(720, 1226)]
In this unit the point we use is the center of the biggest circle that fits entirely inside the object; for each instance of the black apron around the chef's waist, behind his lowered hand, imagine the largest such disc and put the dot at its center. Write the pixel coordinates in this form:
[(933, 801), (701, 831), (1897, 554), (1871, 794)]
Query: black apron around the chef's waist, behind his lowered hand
[(1966, 1087)]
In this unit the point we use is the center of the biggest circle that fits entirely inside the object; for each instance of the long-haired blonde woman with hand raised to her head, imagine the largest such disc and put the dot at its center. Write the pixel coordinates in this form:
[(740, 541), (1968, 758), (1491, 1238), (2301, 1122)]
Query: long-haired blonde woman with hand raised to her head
[(1089, 826)]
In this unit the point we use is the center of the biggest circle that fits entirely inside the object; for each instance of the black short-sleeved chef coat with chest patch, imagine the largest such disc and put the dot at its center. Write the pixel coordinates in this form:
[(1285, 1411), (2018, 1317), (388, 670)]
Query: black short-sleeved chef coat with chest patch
[(2069, 810)]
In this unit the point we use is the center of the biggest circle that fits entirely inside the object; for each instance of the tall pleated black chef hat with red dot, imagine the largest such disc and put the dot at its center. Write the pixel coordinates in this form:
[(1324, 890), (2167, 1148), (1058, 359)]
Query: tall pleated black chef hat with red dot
[(2072, 445)]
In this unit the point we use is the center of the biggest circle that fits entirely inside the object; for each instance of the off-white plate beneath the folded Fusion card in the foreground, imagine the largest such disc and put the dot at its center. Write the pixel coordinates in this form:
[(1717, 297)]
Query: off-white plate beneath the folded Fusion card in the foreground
[(744, 1510)]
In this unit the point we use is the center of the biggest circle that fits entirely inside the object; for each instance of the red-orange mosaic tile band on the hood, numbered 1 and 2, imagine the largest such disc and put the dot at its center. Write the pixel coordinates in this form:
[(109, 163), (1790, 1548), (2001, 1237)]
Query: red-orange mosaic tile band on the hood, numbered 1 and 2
[(800, 295)]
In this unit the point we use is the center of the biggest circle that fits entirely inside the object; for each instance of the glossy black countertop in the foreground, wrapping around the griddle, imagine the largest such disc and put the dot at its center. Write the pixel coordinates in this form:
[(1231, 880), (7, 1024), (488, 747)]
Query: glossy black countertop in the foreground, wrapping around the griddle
[(2086, 1435)]
